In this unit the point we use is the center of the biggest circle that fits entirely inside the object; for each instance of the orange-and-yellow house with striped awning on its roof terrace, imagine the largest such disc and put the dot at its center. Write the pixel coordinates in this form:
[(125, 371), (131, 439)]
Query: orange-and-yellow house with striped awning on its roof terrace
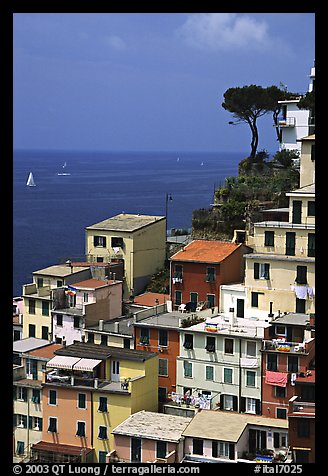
[(114, 383)]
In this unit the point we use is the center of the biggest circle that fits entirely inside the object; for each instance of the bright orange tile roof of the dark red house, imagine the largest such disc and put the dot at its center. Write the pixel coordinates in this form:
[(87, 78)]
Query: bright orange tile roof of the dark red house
[(206, 251)]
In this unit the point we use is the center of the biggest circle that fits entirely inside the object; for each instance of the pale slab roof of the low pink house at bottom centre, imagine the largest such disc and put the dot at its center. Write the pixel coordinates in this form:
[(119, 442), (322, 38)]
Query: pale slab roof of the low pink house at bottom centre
[(154, 426)]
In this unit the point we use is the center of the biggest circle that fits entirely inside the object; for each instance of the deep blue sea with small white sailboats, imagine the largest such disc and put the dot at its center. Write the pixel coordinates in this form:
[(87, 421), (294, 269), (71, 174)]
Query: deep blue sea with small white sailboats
[(49, 220)]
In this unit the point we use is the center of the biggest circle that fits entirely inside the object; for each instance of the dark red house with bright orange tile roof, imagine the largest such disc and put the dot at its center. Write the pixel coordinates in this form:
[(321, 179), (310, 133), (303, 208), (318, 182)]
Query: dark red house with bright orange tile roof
[(199, 269)]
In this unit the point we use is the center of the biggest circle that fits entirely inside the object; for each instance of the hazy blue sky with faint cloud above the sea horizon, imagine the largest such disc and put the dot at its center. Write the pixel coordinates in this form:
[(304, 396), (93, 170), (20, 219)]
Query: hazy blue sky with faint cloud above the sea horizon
[(150, 81)]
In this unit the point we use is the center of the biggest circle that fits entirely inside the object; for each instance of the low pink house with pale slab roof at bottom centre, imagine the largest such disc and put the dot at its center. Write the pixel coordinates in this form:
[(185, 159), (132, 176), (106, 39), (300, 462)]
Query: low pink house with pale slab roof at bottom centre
[(149, 437)]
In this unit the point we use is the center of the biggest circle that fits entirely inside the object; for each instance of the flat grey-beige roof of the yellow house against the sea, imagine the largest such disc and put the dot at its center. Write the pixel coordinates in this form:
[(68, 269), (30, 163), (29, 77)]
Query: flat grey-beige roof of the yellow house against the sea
[(125, 222)]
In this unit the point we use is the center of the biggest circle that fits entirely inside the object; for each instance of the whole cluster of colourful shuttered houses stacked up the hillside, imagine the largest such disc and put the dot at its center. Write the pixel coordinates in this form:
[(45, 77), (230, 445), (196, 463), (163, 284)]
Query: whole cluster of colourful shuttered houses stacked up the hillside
[(220, 369)]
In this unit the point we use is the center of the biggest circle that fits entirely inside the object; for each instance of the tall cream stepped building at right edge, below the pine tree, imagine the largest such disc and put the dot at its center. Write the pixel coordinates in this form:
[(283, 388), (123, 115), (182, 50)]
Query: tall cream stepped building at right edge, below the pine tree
[(280, 273)]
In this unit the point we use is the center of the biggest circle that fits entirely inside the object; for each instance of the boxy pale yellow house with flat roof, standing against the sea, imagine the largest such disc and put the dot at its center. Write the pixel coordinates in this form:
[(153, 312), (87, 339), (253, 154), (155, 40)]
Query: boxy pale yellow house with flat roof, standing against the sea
[(138, 240)]
